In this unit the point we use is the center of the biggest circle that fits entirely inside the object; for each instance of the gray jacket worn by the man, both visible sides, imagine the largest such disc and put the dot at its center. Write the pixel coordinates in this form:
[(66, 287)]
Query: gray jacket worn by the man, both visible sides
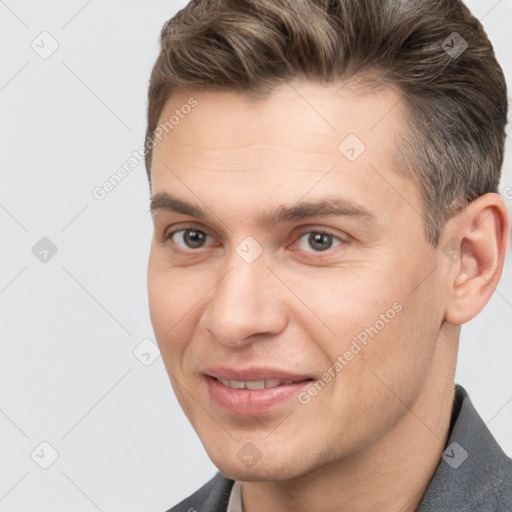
[(473, 475)]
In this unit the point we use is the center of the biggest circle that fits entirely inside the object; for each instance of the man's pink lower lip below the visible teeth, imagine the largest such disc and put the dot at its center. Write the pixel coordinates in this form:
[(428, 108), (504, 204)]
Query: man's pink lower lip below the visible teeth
[(251, 401)]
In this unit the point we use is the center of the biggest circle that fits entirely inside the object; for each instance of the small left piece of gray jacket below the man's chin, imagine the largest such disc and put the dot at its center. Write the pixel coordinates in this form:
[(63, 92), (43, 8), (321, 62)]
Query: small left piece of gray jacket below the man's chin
[(213, 496)]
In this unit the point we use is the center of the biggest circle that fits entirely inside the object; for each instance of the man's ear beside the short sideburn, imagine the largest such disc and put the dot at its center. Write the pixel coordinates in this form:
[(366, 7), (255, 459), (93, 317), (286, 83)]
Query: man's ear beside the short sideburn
[(477, 255)]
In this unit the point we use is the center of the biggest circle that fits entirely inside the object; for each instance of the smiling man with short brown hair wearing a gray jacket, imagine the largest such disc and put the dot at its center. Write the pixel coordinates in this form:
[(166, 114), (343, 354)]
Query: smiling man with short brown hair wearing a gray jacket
[(324, 195)]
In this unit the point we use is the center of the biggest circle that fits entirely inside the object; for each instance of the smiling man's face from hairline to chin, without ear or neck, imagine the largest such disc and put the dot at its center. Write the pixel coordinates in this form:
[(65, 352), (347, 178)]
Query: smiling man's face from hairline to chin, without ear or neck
[(230, 293)]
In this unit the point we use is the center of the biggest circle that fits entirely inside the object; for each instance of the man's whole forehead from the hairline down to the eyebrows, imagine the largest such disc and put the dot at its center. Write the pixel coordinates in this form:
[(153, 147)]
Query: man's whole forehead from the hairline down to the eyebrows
[(304, 139)]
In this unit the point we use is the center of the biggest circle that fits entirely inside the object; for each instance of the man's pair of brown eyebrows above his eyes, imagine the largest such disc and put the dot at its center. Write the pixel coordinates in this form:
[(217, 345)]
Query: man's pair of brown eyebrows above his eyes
[(330, 205)]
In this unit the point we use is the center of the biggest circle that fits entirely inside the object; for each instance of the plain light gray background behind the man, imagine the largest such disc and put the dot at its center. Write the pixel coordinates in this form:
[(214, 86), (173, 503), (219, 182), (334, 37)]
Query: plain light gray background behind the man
[(68, 374)]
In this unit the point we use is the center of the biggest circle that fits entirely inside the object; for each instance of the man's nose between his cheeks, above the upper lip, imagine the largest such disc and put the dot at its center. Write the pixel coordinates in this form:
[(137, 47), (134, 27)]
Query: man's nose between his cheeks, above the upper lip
[(245, 304)]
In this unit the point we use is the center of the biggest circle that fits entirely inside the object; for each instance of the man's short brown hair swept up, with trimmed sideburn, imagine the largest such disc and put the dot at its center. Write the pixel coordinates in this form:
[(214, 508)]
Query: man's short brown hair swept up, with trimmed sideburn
[(454, 140)]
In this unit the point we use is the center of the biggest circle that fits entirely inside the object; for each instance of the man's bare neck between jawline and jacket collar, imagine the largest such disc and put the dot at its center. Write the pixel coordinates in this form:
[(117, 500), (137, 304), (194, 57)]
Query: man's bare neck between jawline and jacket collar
[(390, 475)]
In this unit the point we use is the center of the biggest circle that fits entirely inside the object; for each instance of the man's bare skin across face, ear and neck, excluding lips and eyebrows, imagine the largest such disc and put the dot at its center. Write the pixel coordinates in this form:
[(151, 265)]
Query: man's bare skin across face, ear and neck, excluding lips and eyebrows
[(372, 438)]
